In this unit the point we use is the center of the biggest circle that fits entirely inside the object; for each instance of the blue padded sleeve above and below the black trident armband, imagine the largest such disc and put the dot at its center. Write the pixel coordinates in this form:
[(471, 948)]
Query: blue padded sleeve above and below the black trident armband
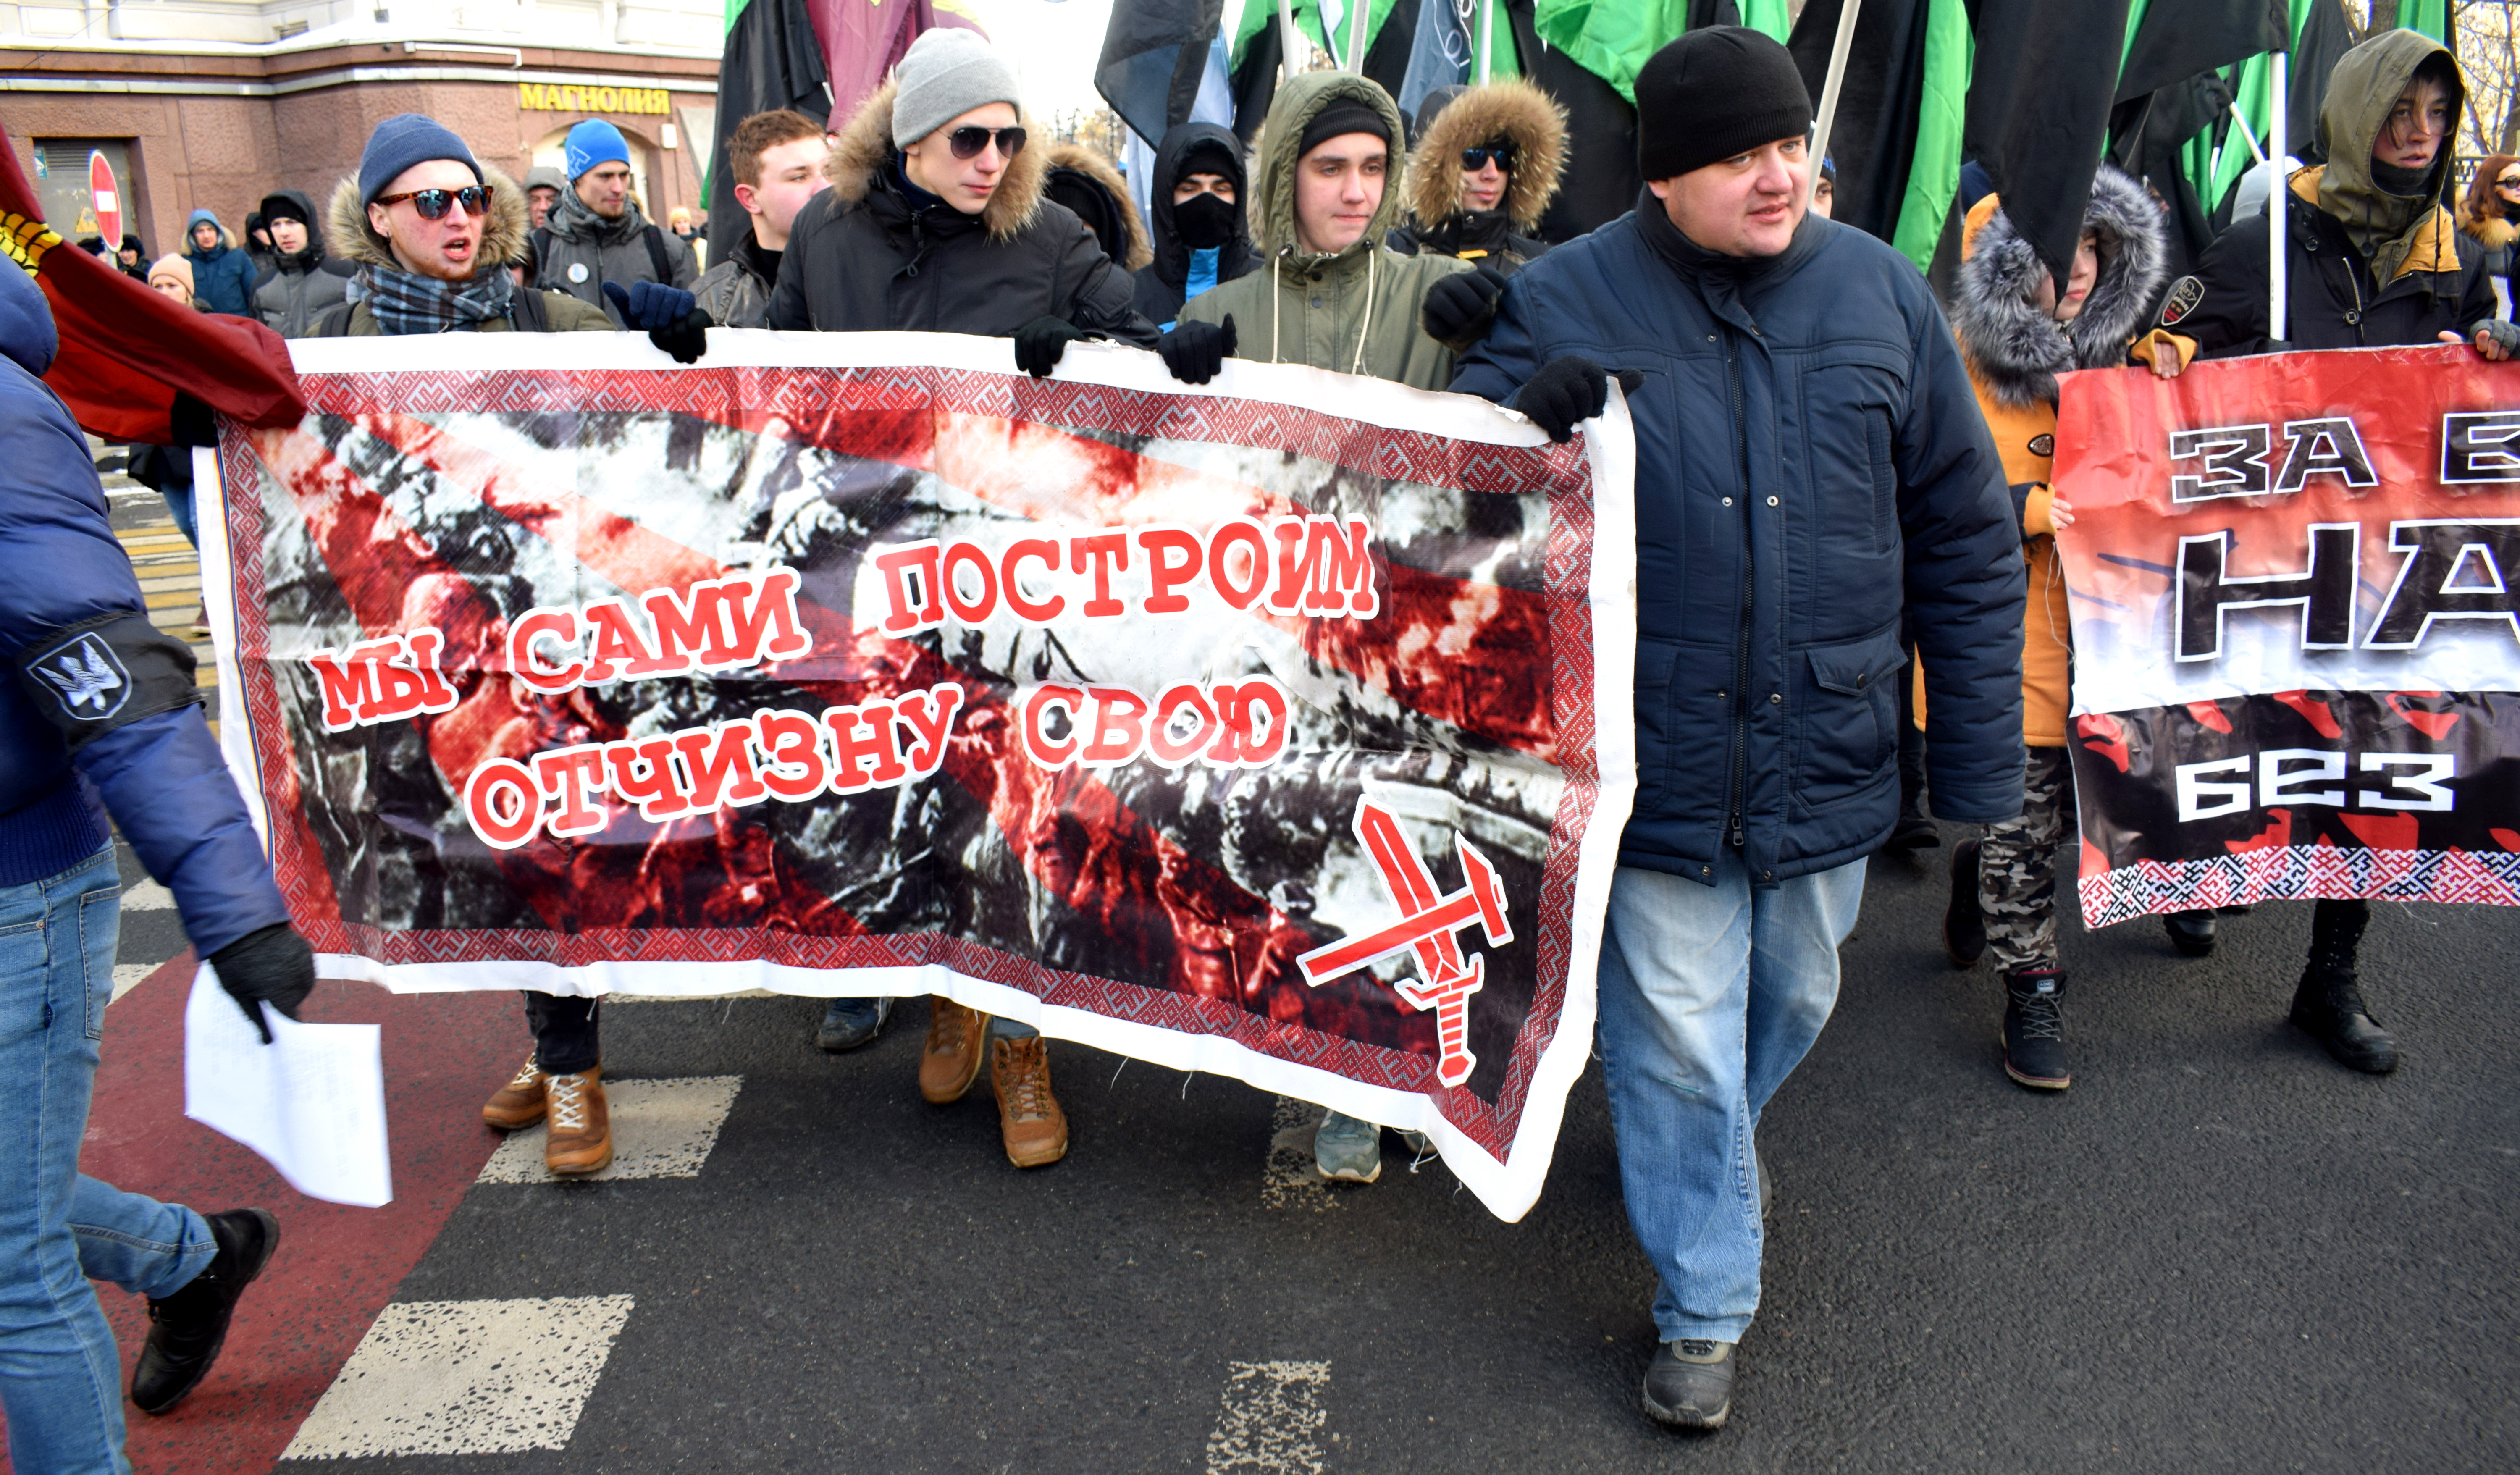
[(163, 778)]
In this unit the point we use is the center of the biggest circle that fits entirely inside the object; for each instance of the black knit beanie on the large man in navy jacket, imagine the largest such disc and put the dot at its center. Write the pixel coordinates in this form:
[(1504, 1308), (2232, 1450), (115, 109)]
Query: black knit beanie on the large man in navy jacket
[(1715, 95)]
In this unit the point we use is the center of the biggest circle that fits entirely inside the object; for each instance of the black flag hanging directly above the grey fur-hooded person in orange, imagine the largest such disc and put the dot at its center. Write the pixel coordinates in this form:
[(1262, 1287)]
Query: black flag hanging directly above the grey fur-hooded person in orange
[(2040, 112)]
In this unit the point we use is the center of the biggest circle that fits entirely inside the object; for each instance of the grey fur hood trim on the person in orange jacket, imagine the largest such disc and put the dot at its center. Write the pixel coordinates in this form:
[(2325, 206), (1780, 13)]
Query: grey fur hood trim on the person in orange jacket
[(2012, 347)]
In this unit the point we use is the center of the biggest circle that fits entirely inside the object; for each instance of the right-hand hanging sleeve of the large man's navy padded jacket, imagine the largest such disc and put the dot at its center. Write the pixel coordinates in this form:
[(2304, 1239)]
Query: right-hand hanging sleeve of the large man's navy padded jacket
[(1967, 584)]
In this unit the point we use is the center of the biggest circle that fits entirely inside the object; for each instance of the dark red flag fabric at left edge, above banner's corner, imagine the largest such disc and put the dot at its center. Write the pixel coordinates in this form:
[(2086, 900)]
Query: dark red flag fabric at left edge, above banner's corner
[(127, 352)]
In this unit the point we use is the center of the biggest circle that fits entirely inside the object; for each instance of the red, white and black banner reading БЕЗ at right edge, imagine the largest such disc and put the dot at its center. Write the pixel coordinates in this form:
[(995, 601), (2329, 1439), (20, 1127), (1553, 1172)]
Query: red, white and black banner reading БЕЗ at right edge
[(2297, 629)]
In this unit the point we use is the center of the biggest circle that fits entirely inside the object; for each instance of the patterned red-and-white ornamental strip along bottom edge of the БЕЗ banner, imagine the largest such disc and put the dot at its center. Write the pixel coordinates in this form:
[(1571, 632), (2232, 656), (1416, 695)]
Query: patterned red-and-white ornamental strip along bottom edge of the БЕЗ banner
[(2299, 874)]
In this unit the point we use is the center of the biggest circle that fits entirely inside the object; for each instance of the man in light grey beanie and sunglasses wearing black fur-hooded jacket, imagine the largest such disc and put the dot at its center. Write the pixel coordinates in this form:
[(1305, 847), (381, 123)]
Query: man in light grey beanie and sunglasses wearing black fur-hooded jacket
[(936, 221)]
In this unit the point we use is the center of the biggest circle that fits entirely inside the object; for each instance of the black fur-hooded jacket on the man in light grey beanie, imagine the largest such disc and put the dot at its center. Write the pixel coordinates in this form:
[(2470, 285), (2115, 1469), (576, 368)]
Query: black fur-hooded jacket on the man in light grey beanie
[(866, 261)]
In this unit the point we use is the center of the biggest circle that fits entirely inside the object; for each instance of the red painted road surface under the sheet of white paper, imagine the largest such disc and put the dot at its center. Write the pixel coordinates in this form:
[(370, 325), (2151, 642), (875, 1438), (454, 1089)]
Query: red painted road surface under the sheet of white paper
[(339, 1267)]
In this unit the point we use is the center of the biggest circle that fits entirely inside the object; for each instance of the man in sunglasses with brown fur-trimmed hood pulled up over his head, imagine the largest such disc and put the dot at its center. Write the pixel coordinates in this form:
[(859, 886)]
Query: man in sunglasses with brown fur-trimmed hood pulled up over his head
[(1486, 168)]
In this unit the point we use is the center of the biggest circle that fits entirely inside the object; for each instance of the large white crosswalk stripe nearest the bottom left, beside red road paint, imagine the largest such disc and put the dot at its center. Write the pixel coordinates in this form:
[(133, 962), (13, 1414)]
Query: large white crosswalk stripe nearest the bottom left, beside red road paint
[(465, 1378)]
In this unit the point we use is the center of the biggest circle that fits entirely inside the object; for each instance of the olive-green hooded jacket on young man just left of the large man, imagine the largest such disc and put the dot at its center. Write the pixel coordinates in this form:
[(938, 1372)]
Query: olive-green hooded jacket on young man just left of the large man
[(1352, 311)]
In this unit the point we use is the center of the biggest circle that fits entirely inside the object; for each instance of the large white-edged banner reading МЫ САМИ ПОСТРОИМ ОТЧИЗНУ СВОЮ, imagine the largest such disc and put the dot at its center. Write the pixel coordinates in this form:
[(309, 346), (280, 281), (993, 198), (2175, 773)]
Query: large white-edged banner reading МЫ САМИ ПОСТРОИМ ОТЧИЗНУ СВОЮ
[(1271, 730)]
